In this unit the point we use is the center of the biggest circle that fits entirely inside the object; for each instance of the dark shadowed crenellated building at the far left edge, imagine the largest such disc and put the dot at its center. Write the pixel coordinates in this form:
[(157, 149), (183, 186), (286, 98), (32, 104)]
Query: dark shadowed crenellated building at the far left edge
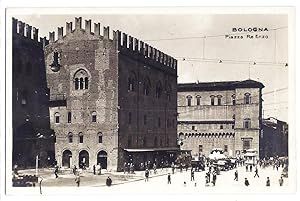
[(31, 127)]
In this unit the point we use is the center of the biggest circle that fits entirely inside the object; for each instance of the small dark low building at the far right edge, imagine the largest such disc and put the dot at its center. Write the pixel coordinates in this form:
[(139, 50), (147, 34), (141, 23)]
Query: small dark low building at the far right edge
[(274, 138)]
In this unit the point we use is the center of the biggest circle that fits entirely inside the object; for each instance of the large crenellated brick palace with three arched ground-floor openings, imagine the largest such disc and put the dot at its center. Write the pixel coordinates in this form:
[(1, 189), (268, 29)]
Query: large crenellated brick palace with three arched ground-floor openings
[(112, 99)]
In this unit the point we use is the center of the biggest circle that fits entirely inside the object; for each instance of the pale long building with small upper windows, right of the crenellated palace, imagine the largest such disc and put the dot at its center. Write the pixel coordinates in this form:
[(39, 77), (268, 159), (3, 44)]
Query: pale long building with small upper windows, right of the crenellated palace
[(224, 115)]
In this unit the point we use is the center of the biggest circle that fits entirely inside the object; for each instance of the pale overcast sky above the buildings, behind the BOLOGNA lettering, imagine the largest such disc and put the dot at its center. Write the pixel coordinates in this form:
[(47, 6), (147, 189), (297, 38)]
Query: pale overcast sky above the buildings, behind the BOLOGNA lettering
[(181, 36)]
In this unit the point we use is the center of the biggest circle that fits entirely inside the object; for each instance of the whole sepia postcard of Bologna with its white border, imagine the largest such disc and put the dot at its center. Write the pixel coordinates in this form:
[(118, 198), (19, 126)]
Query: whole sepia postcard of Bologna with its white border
[(149, 100)]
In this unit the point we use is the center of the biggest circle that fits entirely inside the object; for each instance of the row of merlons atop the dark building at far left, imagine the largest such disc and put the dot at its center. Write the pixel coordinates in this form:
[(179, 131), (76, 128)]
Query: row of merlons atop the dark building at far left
[(27, 31)]
